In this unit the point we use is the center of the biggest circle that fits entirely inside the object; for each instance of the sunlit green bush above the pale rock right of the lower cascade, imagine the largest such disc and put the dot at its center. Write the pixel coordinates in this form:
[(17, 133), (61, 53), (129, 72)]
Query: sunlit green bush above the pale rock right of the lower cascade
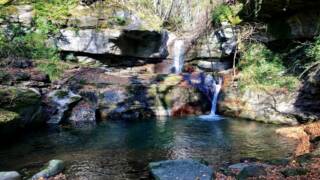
[(263, 69)]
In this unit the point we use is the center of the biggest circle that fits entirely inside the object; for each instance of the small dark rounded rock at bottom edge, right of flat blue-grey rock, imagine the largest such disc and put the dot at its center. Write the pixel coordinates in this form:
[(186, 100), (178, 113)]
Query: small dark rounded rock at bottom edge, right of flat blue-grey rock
[(251, 171)]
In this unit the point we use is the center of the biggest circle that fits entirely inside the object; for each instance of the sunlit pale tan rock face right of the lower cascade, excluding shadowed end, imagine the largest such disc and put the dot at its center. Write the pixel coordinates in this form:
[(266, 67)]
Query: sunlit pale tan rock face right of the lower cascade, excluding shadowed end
[(270, 107)]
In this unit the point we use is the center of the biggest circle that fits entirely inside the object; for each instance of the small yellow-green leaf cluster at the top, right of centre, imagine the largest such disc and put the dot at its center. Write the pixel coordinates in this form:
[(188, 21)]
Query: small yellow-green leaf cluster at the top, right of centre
[(226, 13)]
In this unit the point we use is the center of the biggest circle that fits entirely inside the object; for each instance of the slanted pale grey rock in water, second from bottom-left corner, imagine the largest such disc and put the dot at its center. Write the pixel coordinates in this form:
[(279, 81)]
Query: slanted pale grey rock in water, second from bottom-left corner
[(54, 167)]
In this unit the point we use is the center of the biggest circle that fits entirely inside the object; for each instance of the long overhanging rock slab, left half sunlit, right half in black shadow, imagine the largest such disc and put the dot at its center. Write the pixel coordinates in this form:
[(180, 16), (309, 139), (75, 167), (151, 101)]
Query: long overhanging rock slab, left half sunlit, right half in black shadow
[(143, 44)]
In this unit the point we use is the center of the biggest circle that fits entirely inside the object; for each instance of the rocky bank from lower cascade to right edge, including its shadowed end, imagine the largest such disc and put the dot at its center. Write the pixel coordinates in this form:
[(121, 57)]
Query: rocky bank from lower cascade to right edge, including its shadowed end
[(277, 106)]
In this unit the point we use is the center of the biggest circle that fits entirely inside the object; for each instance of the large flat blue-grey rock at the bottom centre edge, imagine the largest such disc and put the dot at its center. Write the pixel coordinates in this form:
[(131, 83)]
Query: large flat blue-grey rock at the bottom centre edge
[(180, 169)]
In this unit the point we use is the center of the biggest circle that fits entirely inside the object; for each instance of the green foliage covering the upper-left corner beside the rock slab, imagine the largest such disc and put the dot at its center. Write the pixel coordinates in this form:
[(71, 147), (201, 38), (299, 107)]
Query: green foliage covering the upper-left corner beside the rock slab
[(20, 41)]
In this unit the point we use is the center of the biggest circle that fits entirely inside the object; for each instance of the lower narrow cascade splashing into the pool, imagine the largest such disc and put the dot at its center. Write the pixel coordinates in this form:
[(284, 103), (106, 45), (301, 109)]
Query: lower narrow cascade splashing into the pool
[(216, 90)]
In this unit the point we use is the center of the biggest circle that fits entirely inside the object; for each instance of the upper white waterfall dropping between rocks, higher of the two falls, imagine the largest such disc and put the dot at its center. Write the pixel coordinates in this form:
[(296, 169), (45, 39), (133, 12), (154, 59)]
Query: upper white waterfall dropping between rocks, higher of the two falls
[(178, 58)]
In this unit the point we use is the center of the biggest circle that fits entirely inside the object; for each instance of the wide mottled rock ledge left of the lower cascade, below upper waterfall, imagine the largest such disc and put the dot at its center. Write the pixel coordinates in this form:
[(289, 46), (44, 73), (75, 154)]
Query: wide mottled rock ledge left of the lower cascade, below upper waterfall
[(143, 96)]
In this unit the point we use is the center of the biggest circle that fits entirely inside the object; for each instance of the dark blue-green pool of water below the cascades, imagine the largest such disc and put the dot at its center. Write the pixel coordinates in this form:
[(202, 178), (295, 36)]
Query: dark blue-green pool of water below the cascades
[(122, 150)]
